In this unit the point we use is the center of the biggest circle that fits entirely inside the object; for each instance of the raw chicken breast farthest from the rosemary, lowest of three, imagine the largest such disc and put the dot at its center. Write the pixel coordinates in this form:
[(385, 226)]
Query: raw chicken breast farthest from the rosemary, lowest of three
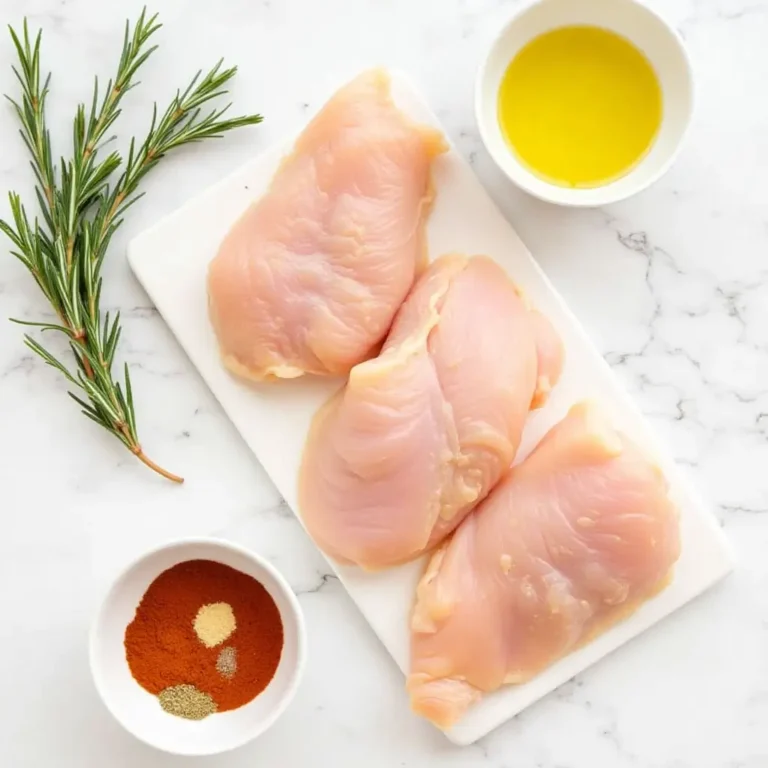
[(573, 539)]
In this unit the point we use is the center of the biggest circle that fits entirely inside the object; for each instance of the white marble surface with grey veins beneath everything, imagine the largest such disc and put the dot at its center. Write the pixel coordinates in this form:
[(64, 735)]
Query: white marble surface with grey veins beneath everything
[(672, 286)]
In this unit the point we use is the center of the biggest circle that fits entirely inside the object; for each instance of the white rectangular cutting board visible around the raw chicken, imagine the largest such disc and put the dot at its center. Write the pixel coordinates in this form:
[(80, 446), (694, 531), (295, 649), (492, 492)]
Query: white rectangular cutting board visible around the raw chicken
[(171, 259)]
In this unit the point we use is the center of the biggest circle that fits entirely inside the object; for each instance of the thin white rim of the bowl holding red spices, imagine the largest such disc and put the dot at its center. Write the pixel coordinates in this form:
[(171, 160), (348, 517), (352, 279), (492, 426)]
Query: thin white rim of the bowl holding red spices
[(284, 587)]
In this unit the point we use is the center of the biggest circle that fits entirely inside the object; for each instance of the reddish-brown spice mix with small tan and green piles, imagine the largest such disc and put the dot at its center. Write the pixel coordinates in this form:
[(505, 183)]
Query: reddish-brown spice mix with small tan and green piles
[(174, 643)]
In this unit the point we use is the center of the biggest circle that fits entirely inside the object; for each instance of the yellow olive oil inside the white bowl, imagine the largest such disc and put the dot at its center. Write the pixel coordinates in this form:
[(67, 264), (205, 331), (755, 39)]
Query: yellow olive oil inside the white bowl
[(580, 106)]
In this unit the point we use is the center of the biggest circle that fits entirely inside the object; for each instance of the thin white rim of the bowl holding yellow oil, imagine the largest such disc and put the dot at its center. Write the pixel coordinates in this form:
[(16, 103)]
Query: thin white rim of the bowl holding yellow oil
[(564, 196)]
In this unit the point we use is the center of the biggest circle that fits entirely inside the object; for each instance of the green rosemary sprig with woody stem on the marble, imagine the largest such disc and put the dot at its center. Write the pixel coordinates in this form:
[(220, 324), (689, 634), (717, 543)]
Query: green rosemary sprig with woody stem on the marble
[(82, 202)]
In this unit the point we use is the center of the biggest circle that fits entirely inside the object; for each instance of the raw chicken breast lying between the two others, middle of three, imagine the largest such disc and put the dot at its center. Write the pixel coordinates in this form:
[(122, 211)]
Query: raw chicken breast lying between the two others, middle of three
[(422, 433)]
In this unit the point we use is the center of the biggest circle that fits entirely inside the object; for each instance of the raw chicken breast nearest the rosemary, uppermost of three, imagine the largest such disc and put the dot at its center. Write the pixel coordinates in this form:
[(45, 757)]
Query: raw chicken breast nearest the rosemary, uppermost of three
[(310, 277)]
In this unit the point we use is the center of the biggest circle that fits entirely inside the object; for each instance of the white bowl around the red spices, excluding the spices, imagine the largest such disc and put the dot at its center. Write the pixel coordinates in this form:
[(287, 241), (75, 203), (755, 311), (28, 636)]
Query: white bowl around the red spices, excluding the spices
[(138, 711)]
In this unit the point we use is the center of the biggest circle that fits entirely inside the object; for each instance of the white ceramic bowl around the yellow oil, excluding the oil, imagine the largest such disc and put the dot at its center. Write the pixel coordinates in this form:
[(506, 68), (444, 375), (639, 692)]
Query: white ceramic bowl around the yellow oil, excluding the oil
[(649, 32)]
